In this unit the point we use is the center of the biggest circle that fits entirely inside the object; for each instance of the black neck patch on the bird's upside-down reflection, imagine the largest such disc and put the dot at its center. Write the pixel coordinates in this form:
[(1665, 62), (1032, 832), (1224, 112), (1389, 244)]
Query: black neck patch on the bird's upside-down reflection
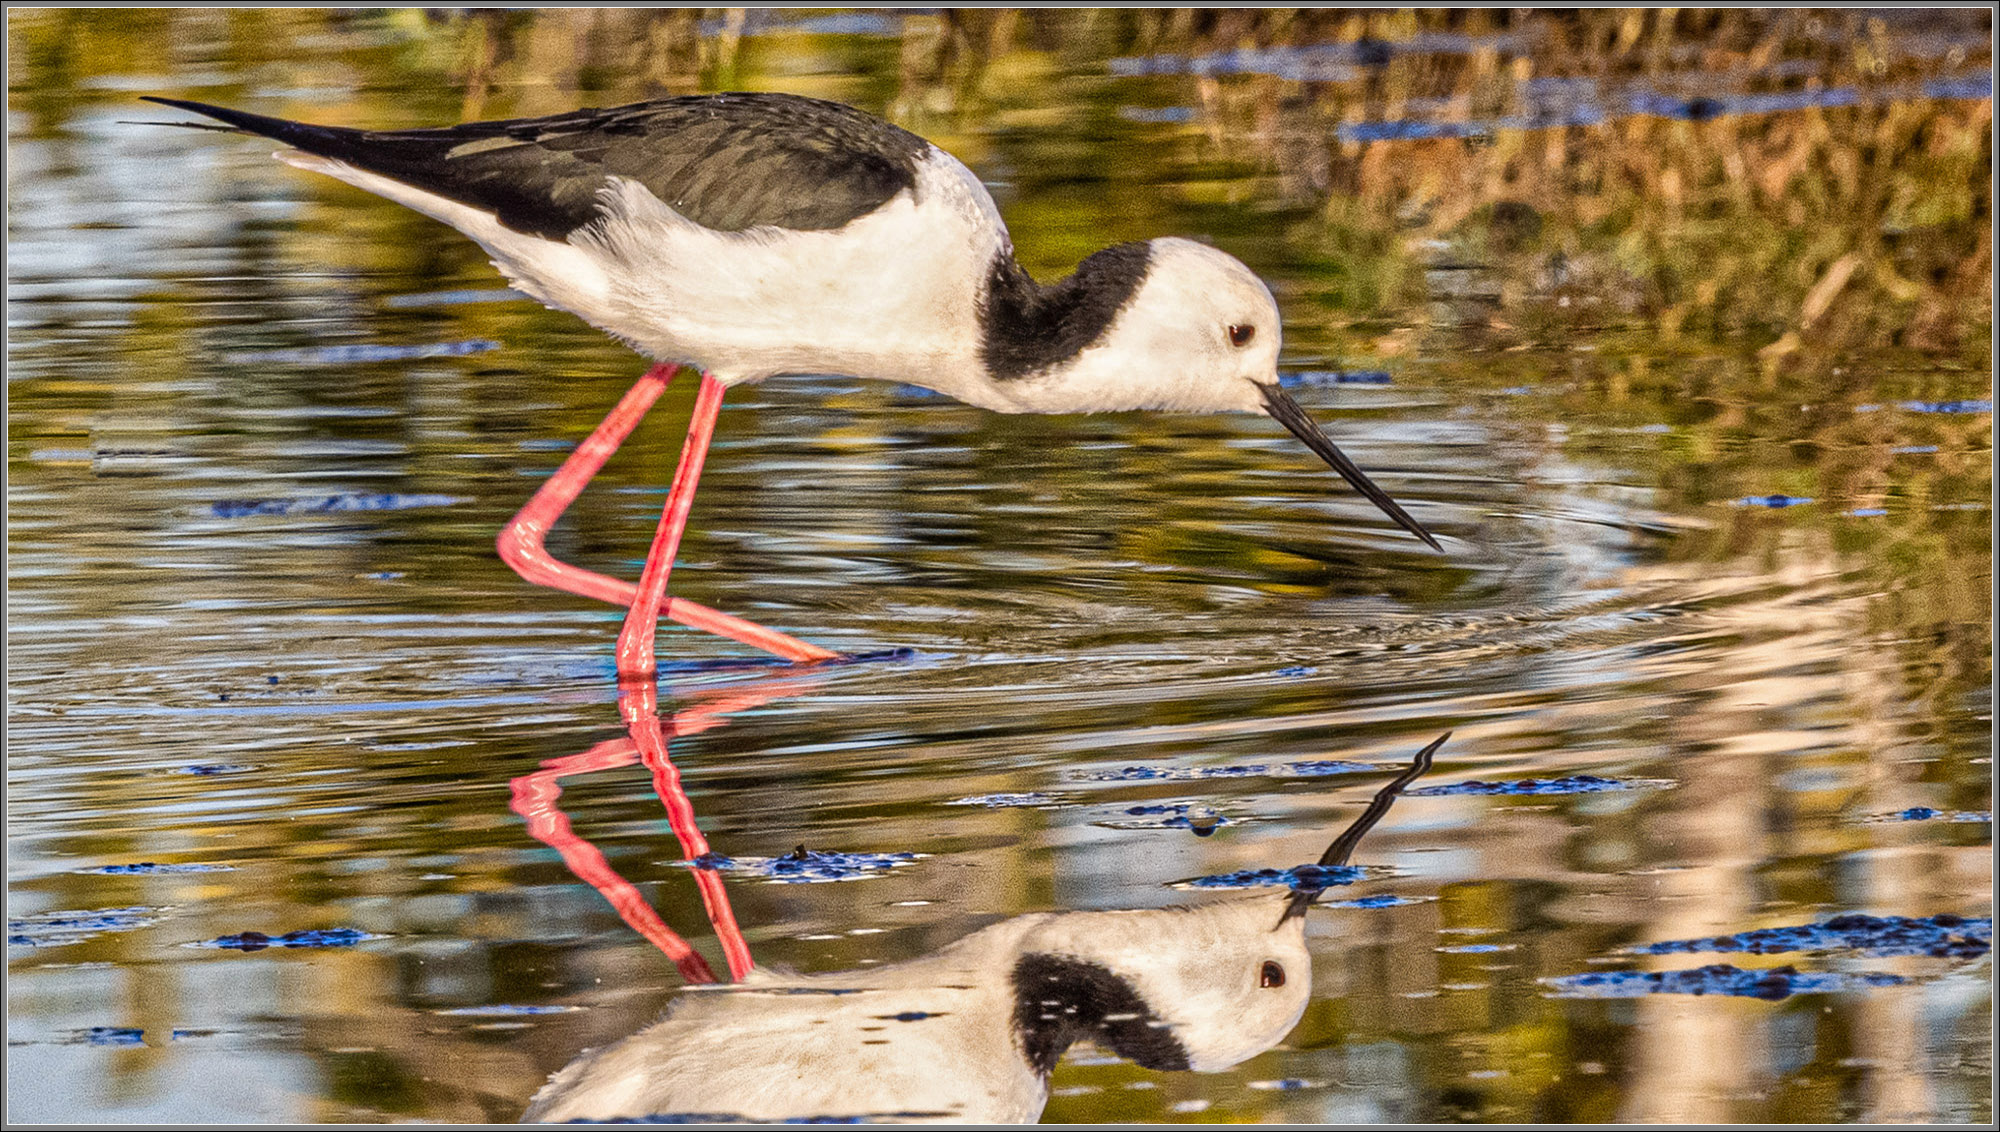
[(1059, 1001)]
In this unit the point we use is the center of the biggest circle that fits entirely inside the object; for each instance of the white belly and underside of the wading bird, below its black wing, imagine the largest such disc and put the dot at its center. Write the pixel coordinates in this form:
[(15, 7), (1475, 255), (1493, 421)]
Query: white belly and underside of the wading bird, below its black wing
[(891, 295)]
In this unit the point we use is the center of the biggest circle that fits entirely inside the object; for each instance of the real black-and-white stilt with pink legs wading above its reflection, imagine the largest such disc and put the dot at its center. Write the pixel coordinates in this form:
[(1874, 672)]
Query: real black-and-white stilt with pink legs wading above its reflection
[(759, 235)]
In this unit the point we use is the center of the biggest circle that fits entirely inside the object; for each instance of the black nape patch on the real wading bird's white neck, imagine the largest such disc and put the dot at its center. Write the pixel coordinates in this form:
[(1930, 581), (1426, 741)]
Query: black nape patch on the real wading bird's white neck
[(1029, 327)]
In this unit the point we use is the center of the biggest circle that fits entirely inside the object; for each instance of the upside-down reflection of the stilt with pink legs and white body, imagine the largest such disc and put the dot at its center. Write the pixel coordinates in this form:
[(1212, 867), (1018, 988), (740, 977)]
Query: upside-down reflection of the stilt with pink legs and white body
[(969, 1033)]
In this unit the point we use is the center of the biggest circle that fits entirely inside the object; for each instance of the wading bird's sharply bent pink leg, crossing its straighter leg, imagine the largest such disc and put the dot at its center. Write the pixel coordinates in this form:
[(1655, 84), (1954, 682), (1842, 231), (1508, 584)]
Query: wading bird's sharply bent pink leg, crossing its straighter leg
[(523, 537)]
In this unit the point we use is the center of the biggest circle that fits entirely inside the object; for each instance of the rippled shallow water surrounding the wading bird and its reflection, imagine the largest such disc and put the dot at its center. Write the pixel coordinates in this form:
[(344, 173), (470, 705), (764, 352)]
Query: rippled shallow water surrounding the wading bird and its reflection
[(1717, 523)]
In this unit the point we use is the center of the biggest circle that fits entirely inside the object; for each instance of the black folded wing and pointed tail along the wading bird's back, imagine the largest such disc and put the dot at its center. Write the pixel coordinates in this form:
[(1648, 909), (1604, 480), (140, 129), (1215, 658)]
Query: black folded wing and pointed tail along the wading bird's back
[(723, 161)]
